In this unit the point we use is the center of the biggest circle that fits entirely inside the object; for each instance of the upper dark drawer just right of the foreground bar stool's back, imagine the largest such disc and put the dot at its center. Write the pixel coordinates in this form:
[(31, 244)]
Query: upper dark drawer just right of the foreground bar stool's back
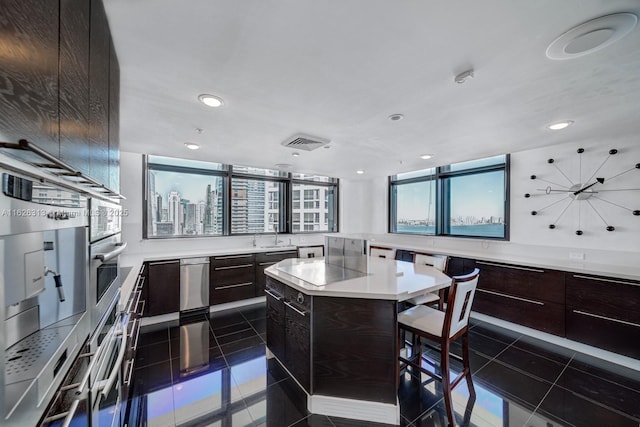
[(525, 282)]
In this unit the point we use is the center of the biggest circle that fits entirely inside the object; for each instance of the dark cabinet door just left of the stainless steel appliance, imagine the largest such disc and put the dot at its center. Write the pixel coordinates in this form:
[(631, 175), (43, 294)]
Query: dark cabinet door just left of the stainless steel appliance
[(163, 287)]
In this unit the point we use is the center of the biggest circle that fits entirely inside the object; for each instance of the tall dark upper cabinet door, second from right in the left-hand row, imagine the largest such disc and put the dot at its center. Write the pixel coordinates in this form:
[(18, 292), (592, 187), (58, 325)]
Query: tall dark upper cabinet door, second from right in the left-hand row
[(99, 94)]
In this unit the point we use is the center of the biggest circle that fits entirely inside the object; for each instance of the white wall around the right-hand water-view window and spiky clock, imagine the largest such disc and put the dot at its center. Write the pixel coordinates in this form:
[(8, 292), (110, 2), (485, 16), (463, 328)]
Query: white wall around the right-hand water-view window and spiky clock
[(530, 235)]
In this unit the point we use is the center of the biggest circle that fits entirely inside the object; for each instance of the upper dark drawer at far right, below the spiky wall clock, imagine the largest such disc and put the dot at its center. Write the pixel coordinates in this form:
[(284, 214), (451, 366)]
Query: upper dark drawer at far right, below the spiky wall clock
[(609, 297)]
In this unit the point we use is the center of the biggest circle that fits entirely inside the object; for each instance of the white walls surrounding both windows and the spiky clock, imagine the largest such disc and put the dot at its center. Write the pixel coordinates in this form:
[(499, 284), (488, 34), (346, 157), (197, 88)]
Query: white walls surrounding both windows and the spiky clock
[(363, 209)]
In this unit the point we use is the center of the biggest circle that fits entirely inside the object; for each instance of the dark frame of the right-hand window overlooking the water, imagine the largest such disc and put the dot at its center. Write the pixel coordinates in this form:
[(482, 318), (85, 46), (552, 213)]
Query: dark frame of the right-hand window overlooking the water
[(442, 176)]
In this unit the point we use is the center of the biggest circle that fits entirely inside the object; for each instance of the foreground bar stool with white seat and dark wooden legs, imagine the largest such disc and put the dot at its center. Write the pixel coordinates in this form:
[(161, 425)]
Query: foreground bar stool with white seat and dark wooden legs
[(443, 328)]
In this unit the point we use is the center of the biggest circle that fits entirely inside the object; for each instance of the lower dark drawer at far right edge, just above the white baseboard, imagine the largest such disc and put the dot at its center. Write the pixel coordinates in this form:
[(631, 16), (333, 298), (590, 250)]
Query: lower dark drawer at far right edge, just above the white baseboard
[(600, 331)]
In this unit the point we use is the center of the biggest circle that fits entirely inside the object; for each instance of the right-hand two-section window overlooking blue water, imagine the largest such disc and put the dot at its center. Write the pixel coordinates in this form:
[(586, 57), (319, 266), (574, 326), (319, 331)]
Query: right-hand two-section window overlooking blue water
[(467, 199)]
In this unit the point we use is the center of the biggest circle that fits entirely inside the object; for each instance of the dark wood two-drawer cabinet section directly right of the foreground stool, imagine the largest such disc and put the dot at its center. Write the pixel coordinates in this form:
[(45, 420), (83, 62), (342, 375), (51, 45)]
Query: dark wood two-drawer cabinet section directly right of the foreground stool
[(532, 297)]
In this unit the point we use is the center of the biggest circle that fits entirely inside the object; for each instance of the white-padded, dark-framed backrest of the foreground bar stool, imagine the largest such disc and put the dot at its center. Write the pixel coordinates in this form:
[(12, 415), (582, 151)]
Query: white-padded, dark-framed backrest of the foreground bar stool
[(459, 303)]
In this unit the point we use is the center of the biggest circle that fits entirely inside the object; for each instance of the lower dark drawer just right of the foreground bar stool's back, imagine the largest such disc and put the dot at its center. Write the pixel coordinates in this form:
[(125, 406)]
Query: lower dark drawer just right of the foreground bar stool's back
[(535, 314)]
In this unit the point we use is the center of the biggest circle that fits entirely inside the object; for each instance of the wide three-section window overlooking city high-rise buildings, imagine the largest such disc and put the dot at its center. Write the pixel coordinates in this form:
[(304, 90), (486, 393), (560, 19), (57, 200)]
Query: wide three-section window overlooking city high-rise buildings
[(187, 198)]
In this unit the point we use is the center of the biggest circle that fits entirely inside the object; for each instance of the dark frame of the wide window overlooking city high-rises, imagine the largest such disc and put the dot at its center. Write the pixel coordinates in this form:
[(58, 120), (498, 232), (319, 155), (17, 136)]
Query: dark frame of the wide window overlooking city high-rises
[(227, 173)]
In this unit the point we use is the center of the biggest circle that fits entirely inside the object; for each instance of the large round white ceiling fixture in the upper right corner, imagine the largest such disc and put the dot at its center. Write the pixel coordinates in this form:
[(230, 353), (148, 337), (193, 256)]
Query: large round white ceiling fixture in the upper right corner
[(592, 36)]
